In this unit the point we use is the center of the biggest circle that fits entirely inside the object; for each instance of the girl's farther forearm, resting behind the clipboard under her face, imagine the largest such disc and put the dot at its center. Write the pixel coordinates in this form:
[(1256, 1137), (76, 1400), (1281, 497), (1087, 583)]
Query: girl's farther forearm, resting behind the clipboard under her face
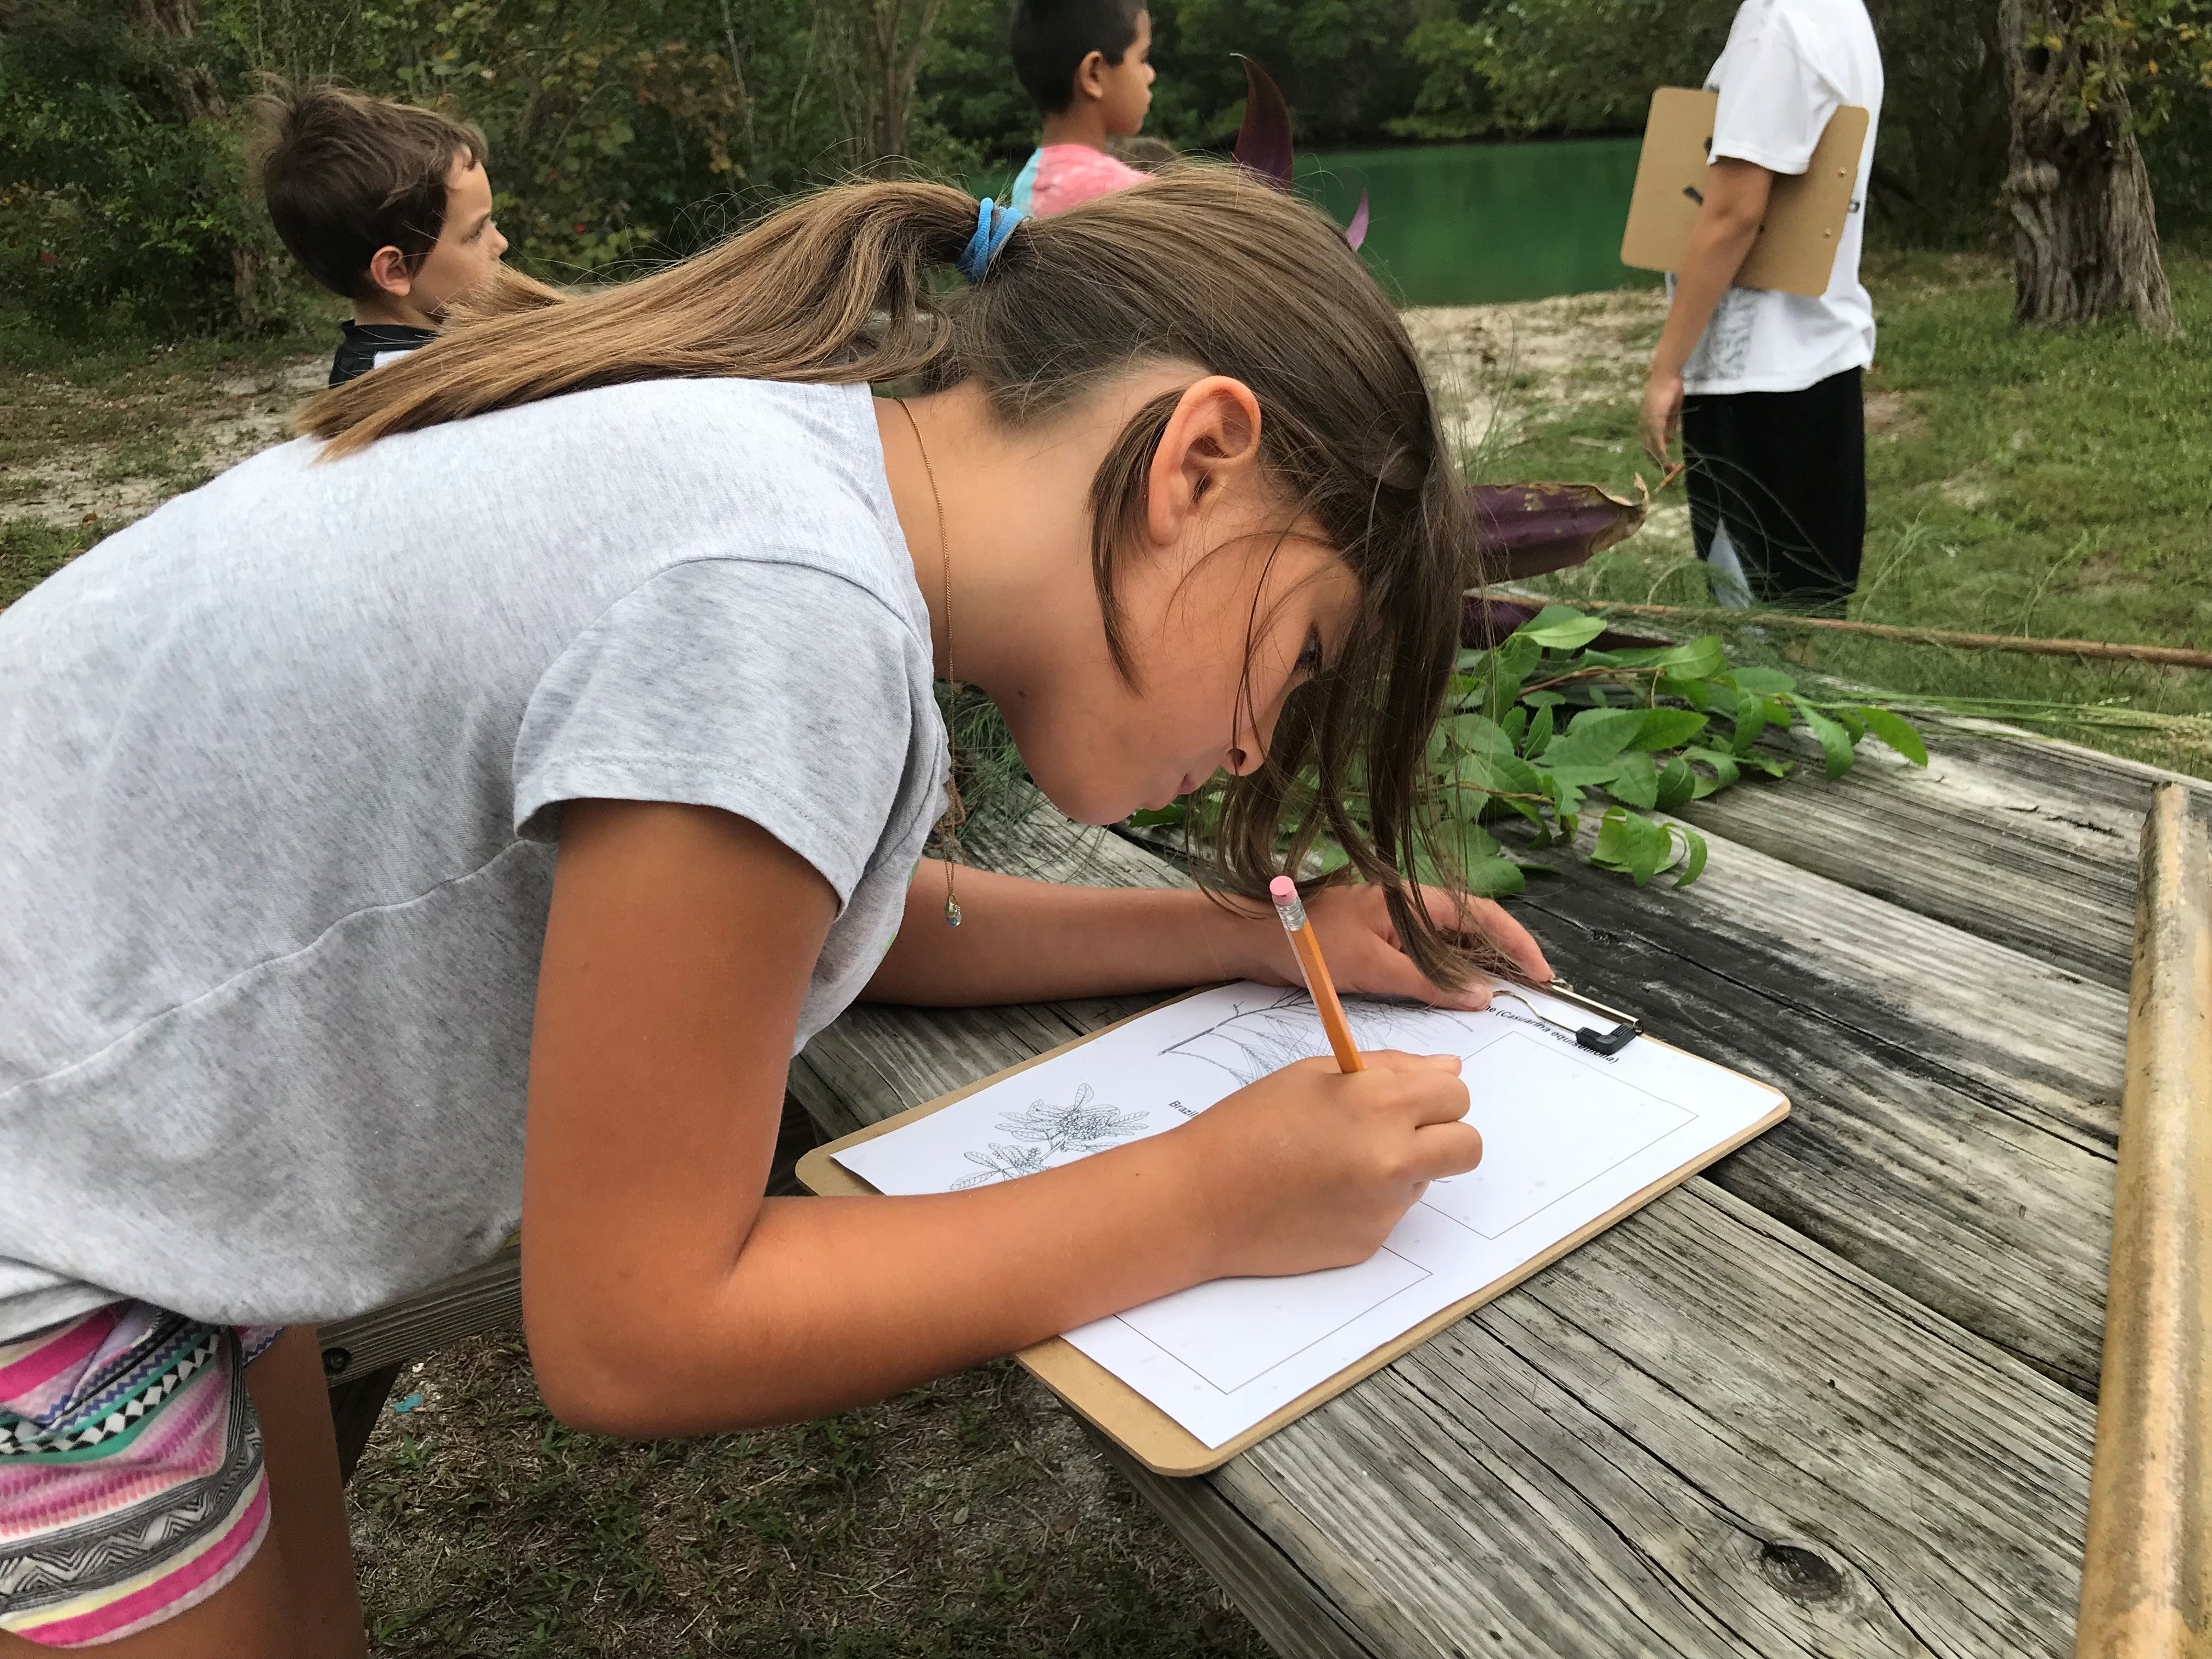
[(1025, 941)]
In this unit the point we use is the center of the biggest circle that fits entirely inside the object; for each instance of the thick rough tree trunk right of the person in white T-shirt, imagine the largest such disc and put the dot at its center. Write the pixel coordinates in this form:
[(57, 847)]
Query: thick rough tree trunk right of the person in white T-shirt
[(2085, 229)]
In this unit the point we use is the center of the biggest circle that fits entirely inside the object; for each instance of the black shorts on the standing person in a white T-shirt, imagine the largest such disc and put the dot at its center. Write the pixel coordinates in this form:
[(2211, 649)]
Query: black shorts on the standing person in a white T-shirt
[(1786, 474)]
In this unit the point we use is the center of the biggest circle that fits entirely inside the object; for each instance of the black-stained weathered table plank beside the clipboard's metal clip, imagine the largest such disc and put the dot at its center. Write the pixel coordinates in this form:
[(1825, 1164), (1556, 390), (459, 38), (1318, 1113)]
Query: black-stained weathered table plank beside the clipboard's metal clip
[(1952, 1100)]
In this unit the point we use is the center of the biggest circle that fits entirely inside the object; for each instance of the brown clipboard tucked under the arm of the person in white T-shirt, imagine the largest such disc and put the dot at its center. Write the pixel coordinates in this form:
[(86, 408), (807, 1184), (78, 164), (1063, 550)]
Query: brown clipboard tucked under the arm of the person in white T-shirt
[(1806, 211)]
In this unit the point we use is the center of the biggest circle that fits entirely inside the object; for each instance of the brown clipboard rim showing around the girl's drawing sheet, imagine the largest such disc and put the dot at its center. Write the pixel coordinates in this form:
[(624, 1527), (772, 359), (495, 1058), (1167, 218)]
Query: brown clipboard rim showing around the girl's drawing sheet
[(1140, 1428)]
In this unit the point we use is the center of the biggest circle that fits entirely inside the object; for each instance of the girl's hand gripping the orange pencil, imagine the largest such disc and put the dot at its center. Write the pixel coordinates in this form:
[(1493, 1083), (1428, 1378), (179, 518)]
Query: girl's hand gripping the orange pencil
[(1313, 1169)]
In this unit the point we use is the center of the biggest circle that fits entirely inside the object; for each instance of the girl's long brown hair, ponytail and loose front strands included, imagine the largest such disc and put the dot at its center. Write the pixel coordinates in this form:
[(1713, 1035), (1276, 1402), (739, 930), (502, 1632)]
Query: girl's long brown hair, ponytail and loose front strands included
[(1193, 267)]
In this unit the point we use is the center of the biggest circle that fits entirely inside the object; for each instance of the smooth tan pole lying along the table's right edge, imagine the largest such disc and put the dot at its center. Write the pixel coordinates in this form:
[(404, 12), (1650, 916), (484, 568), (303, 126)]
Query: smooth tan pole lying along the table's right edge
[(2147, 1589)]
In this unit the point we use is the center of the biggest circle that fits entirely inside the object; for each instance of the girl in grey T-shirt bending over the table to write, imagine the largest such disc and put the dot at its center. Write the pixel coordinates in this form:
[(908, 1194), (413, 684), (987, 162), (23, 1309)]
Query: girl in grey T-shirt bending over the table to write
[(463, 813)]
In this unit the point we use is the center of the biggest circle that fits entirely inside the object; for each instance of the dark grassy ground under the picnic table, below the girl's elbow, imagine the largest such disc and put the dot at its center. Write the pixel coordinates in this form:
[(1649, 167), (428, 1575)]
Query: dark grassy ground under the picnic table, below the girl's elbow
[(966, 1521)]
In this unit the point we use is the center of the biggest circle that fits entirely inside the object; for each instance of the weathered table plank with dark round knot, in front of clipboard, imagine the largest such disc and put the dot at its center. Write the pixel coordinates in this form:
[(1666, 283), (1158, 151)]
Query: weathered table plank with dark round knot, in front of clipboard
[(1695, 1437)]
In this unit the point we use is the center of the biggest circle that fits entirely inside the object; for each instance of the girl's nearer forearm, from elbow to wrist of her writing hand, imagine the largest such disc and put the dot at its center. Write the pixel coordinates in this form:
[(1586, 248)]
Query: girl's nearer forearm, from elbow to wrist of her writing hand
[(839, 1302)]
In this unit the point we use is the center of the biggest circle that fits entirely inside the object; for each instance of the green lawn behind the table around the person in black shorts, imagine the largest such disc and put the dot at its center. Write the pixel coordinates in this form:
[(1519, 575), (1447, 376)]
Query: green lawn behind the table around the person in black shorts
[(2018, 483)]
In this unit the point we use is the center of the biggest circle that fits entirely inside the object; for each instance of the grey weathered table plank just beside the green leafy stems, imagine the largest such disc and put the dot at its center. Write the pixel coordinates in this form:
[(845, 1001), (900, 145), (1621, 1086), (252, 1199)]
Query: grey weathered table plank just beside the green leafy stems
[(2016, 842)]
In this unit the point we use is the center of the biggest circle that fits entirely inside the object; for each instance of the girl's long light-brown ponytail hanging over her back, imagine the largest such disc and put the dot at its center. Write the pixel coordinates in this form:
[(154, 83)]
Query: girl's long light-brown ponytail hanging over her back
[(831, 289)]
